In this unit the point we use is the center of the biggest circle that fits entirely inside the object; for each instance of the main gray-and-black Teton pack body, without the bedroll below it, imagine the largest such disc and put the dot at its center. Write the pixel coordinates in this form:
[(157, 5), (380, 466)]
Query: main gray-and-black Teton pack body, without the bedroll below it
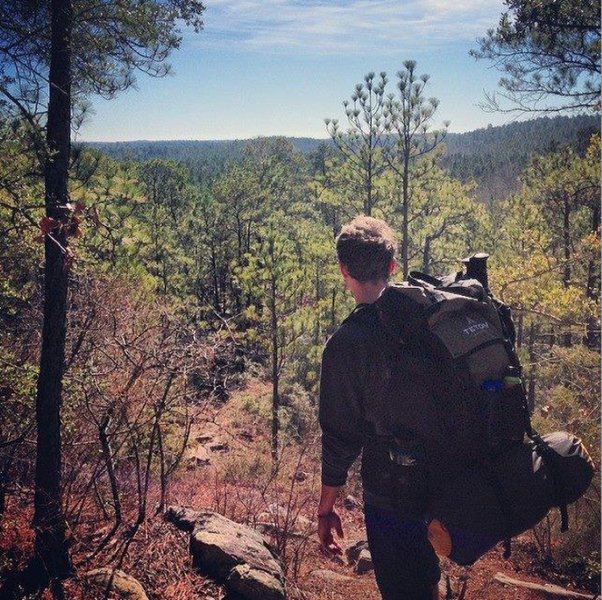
[(465, 339)]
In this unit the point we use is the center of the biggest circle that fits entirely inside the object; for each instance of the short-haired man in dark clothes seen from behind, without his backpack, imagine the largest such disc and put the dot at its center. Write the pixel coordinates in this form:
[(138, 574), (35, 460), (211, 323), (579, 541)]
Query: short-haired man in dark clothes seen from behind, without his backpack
[(353, 368)]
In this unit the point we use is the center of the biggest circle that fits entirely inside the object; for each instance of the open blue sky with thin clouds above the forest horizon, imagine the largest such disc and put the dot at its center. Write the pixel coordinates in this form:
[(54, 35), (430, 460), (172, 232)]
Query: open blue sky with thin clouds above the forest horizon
[(279, 67)]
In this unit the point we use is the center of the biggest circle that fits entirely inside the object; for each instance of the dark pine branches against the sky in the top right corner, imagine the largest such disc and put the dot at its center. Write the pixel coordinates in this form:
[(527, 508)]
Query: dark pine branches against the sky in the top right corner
[(549, 52)]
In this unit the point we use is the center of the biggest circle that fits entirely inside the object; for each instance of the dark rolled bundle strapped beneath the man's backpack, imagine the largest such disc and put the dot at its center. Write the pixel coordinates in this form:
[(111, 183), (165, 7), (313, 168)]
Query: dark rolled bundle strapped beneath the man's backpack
[(467, 518)]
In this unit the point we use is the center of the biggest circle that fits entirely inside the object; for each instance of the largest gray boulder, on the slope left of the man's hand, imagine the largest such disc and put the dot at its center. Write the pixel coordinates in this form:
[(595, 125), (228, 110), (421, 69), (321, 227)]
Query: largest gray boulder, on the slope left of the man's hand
[(231, 552)]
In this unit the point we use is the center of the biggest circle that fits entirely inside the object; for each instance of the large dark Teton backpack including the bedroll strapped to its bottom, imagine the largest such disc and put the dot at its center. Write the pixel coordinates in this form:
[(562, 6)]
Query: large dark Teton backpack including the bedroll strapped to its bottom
[(453, 444)]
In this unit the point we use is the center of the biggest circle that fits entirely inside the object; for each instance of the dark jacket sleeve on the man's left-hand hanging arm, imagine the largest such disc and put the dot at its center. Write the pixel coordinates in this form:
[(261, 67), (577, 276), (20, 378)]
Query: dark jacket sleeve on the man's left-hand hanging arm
[(341, 412)]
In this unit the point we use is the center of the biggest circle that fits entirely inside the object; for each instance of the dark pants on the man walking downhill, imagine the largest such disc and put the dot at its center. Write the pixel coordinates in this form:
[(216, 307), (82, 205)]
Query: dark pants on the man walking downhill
[(405, 564)]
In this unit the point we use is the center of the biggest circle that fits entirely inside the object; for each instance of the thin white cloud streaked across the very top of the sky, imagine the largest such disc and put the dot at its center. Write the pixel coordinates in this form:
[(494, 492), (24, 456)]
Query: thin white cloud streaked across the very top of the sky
[(337, 27)]
